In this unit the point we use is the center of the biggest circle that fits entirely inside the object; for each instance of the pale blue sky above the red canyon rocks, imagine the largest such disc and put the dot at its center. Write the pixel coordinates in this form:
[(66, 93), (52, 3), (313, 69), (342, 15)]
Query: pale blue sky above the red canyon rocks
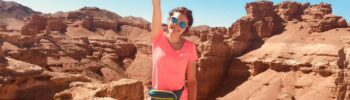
[(206, 12)]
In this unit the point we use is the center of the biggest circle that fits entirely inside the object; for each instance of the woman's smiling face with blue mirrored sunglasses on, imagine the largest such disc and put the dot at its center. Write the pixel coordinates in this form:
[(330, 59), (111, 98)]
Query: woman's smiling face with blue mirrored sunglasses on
[(178, 23)]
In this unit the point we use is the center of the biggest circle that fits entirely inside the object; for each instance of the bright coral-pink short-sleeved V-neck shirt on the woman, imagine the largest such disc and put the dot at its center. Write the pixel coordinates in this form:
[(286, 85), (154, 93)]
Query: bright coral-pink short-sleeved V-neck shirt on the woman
[(169, 66)]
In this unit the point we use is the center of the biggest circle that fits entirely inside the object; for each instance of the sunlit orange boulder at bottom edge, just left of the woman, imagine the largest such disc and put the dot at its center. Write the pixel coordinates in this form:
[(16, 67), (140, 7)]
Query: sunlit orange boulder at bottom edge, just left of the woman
[(125, 89)]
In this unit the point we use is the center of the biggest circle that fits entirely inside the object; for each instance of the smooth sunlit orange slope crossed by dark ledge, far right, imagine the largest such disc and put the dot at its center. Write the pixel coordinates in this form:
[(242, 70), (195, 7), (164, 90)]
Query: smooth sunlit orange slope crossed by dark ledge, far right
[(293, 66)]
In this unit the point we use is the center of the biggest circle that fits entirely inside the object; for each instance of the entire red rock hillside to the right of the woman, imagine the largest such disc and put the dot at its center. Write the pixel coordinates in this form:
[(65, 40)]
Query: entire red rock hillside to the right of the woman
[(286, 51)]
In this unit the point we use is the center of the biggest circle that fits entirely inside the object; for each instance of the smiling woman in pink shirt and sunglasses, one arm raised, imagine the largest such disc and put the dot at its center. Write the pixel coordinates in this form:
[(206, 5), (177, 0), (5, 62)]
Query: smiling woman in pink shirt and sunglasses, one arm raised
[(173, 56)]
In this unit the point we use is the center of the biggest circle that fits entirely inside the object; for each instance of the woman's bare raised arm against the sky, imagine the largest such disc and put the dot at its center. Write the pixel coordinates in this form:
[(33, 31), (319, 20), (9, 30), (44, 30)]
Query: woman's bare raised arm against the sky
[(156, 18)]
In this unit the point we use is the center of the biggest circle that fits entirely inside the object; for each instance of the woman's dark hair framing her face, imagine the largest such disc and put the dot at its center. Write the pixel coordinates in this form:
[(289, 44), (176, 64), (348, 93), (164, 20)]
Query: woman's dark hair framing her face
[(186, 12)]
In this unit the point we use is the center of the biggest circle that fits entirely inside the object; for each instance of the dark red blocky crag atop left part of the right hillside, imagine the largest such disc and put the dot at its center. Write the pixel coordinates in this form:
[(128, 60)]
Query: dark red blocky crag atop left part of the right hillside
[(261, 22)]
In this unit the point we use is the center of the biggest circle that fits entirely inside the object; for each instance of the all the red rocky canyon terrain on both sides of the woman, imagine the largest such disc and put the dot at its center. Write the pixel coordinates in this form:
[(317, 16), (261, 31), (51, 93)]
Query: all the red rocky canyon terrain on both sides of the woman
[(288, 51)]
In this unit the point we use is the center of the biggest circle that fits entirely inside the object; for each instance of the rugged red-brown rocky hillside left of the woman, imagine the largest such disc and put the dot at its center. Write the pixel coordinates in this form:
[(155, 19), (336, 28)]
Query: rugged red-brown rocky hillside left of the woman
[(83, 54)]
